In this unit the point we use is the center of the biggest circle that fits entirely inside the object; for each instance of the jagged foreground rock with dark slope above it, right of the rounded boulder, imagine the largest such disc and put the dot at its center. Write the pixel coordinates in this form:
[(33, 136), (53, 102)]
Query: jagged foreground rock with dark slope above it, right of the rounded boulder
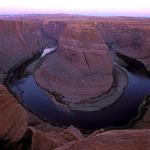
[(44, 135)]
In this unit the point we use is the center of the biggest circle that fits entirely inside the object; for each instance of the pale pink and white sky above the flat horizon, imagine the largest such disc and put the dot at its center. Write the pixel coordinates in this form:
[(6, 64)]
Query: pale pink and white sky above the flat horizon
[(89, 7)]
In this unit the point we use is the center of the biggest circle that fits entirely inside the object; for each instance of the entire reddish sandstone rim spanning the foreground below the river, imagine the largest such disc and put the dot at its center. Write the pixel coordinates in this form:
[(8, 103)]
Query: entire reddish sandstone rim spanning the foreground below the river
[(15, 134)]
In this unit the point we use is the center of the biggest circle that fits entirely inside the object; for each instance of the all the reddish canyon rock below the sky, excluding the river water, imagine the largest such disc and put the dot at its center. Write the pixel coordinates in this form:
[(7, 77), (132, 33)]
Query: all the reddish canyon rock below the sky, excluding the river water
[(81, 74)]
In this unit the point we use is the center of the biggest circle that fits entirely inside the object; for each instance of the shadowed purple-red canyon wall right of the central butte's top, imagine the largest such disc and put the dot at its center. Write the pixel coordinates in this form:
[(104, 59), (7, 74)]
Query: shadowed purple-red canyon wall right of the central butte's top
[(130, 37)]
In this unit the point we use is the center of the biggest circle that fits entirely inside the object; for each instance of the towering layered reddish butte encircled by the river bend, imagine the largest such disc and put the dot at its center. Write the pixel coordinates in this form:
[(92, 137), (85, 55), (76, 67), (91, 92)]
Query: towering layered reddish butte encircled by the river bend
[(81, 67)]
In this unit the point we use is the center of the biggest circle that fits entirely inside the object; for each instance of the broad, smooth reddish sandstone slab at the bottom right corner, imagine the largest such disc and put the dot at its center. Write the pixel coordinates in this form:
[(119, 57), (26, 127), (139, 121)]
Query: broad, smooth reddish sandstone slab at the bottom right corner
[(113, 140)]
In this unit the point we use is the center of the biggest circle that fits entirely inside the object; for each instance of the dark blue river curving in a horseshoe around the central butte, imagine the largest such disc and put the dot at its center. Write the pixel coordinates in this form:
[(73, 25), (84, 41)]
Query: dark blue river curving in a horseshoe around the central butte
[(118, 114)]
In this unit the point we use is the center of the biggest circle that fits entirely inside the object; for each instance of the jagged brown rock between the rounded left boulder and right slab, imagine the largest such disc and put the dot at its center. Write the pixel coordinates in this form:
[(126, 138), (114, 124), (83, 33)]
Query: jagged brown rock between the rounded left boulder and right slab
[(51, 140)]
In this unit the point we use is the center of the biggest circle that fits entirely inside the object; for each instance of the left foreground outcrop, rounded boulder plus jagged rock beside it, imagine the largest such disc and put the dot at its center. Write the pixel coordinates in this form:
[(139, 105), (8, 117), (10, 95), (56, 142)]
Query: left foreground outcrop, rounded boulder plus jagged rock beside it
[(15, 133)]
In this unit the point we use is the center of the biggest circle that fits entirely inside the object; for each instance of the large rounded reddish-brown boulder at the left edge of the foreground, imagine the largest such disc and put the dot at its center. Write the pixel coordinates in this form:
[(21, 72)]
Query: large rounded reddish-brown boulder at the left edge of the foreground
[(13, 118)]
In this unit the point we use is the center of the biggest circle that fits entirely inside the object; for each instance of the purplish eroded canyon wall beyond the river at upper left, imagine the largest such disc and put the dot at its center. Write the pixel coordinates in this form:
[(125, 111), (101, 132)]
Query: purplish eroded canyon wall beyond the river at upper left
[(19, 41)]
